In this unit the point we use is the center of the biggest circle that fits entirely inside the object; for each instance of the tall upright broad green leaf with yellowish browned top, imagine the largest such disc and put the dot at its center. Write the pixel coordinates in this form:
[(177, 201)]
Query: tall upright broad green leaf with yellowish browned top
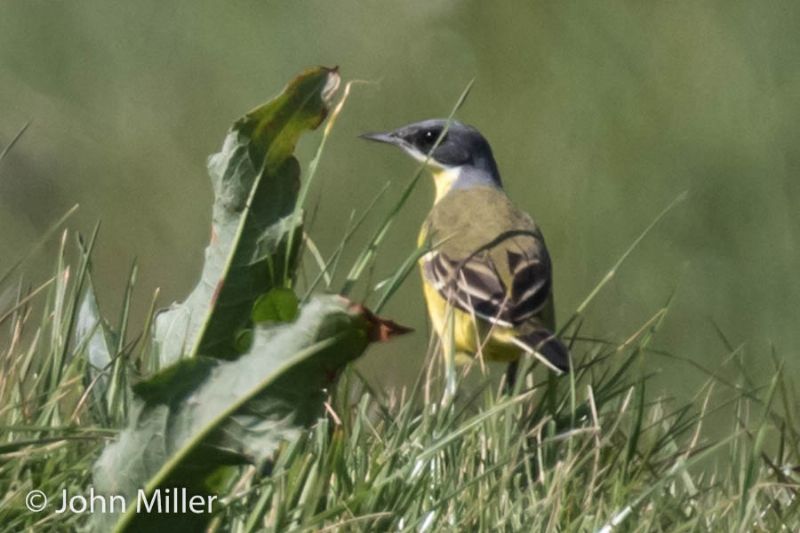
[(256, 182)]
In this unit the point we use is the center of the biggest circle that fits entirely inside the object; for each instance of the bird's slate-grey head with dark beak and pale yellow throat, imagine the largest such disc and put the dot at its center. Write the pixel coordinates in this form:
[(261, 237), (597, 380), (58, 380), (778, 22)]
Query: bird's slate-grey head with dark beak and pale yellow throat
[(457, 154)]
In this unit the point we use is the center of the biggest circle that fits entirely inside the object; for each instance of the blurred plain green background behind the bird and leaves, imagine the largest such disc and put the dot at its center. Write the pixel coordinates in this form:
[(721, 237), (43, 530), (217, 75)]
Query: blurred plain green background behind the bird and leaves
[(600, 114)]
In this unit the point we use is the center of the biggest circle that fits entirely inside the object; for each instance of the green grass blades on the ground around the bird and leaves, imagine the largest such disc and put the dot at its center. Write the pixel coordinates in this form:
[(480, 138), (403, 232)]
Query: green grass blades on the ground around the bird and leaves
[(592, 451)]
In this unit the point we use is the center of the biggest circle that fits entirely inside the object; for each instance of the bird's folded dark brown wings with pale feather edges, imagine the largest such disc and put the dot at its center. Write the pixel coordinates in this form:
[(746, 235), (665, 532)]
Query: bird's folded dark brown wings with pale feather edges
[(506, 283)]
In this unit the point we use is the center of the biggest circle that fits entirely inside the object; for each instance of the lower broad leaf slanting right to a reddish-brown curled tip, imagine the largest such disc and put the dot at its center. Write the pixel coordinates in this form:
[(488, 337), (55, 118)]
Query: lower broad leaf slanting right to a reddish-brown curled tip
[(195, 419)]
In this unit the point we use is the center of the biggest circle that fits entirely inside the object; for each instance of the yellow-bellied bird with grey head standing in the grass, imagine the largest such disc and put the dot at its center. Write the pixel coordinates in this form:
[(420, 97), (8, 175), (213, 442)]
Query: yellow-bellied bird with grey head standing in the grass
[(487, 277)]
